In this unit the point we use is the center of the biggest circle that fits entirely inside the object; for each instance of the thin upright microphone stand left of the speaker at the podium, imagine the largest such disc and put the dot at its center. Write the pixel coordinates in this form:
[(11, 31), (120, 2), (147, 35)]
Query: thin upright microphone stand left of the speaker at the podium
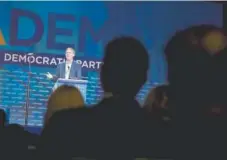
[(28, 90)]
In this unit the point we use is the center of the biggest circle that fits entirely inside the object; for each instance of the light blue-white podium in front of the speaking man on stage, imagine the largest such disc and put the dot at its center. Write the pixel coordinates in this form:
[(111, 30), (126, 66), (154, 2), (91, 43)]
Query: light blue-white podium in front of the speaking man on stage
[(80, 84)]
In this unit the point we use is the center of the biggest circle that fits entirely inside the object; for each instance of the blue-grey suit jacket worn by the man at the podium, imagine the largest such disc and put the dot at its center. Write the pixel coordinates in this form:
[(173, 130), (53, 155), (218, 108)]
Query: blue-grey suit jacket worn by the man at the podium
[(75, 71)]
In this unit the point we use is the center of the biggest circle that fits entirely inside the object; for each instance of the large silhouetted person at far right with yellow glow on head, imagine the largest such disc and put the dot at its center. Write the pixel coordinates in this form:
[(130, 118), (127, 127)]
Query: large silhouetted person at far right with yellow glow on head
[(196, 60)]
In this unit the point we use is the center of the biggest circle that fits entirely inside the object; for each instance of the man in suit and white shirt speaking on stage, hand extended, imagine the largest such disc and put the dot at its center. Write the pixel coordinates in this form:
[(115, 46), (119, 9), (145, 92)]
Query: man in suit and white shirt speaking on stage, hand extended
[(68, 69)]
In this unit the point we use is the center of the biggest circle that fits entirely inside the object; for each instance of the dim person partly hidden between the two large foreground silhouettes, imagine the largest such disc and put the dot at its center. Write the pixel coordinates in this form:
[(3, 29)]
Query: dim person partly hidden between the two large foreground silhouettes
[(156, 105)]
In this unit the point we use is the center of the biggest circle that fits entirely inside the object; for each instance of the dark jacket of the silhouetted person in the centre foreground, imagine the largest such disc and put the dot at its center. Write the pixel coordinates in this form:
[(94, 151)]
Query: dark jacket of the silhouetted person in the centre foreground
[(115, 128)]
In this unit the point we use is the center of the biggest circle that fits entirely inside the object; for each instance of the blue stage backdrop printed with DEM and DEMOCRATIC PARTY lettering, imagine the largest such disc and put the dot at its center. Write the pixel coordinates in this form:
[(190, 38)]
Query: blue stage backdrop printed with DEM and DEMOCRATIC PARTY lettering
[(47, 28)]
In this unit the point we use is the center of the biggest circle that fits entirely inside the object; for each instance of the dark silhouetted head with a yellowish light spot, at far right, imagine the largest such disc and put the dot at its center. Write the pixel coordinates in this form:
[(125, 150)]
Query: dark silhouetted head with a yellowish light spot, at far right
[(190, 54)]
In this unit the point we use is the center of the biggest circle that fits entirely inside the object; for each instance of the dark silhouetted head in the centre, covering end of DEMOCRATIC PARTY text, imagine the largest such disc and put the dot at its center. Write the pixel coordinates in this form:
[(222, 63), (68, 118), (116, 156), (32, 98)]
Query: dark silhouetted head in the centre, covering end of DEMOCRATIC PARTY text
[(125, 66)]
